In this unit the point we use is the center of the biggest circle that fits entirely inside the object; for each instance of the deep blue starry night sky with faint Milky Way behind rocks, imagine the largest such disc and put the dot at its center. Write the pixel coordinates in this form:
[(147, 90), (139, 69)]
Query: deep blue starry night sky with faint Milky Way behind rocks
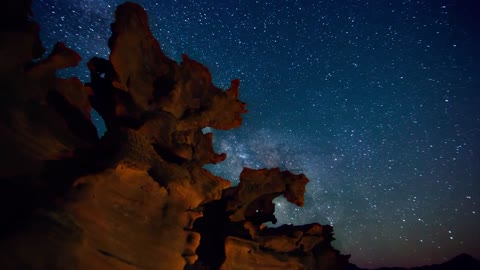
[(376, 101)]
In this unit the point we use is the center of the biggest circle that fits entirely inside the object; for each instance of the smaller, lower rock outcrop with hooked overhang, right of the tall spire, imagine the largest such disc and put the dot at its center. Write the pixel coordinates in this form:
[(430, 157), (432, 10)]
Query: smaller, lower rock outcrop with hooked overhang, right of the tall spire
[(233, 236)]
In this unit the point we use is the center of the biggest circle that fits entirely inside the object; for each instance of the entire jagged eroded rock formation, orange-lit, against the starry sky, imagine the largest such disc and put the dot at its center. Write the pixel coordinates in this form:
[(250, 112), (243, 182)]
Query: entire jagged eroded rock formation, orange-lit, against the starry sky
[(139, 197)]
